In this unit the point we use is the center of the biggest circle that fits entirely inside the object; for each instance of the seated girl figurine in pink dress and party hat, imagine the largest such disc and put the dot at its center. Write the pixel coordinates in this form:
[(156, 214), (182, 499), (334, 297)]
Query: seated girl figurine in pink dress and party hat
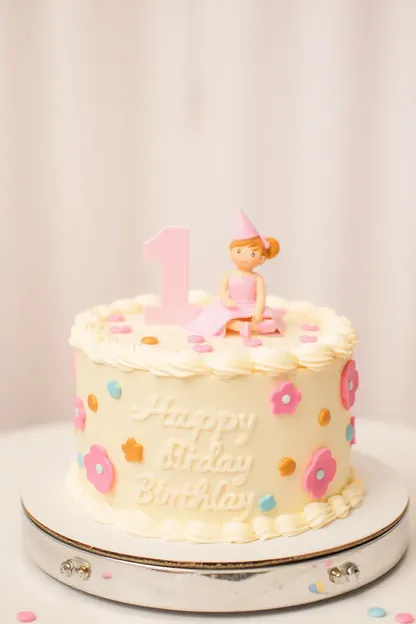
[(242, 306)]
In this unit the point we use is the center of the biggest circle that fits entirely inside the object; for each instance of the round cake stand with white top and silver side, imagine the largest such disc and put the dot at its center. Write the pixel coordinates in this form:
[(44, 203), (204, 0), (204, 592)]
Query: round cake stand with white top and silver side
[(282, 572)]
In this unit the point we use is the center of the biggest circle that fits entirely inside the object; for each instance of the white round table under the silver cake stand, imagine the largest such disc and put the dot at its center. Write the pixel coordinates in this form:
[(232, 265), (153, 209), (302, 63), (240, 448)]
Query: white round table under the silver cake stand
[(24, 587)]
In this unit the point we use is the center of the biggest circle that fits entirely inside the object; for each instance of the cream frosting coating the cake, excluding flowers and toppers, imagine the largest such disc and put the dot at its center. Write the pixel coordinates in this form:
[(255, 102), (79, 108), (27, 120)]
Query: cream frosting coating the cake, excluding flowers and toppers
[(211, 450)]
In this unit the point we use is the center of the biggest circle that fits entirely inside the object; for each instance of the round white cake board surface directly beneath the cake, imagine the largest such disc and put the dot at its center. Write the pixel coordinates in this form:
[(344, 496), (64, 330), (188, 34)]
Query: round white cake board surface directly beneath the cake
[(69, 522)]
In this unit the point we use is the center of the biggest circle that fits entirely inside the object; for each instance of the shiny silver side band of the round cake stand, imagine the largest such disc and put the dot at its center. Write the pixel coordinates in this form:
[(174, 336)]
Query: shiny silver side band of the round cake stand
[(277, 587)]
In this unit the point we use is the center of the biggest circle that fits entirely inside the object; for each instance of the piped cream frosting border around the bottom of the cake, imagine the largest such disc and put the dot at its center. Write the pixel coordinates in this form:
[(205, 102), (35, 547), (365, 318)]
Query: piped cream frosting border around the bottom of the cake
[(315, 515)]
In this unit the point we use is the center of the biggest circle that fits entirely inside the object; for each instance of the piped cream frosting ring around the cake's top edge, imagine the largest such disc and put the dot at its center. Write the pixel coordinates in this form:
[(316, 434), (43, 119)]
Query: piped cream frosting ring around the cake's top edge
[(336, 340)]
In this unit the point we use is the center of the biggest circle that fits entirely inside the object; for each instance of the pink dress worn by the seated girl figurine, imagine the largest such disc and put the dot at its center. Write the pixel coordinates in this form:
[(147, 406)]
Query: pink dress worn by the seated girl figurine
[(242, 289)]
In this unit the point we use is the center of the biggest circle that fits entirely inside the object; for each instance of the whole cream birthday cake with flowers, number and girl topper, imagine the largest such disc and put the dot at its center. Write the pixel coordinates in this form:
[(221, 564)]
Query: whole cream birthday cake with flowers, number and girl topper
[(214, 418)]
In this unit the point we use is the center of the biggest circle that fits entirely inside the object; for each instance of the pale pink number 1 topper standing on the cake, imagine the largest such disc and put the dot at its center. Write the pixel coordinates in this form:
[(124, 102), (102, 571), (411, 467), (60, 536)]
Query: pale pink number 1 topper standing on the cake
[(171, 247)]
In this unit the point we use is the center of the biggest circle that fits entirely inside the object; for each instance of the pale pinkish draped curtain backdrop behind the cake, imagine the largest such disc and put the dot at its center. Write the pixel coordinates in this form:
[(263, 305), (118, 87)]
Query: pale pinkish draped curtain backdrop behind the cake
[(117, 118)]
